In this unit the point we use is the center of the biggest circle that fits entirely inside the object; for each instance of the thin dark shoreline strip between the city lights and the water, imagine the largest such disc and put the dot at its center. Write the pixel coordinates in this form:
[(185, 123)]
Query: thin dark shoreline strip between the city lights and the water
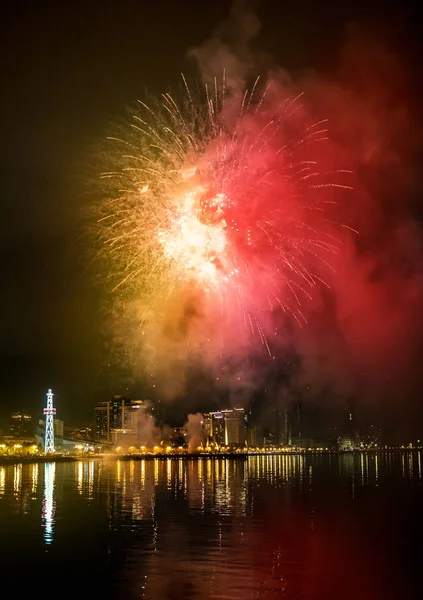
[(14, 460)]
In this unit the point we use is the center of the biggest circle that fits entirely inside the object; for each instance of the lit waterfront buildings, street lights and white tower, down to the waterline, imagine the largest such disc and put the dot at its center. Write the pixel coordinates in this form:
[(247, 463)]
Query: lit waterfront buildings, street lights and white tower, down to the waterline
[(226, 432)]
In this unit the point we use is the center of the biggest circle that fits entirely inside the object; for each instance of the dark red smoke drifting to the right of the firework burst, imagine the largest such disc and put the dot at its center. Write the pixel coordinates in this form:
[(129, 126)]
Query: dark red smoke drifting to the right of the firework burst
[(363, 334)]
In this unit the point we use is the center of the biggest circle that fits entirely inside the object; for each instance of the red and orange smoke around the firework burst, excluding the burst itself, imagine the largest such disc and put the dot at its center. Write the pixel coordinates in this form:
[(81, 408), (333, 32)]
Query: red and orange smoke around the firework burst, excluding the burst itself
[(362, 331)]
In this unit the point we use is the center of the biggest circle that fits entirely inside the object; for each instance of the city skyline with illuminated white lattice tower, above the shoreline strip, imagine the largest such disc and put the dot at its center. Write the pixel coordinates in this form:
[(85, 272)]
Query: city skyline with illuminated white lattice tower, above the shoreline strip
[(121, 423)]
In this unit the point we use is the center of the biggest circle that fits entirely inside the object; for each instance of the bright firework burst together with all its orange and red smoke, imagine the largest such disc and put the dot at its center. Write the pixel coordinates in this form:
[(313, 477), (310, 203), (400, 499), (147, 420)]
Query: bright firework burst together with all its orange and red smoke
[(217, 294)]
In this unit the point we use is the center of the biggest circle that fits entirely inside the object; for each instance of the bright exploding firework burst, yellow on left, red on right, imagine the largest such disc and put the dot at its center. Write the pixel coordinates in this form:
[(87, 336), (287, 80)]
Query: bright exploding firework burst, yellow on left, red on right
[(226, 199)]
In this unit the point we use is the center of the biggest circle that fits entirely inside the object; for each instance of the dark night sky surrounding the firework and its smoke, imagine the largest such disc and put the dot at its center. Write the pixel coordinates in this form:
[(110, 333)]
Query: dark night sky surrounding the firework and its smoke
[(68, 71)]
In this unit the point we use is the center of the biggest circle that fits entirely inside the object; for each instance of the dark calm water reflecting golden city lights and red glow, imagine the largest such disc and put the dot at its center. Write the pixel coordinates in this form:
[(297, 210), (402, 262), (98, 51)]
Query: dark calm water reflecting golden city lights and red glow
[(328, 527)]
